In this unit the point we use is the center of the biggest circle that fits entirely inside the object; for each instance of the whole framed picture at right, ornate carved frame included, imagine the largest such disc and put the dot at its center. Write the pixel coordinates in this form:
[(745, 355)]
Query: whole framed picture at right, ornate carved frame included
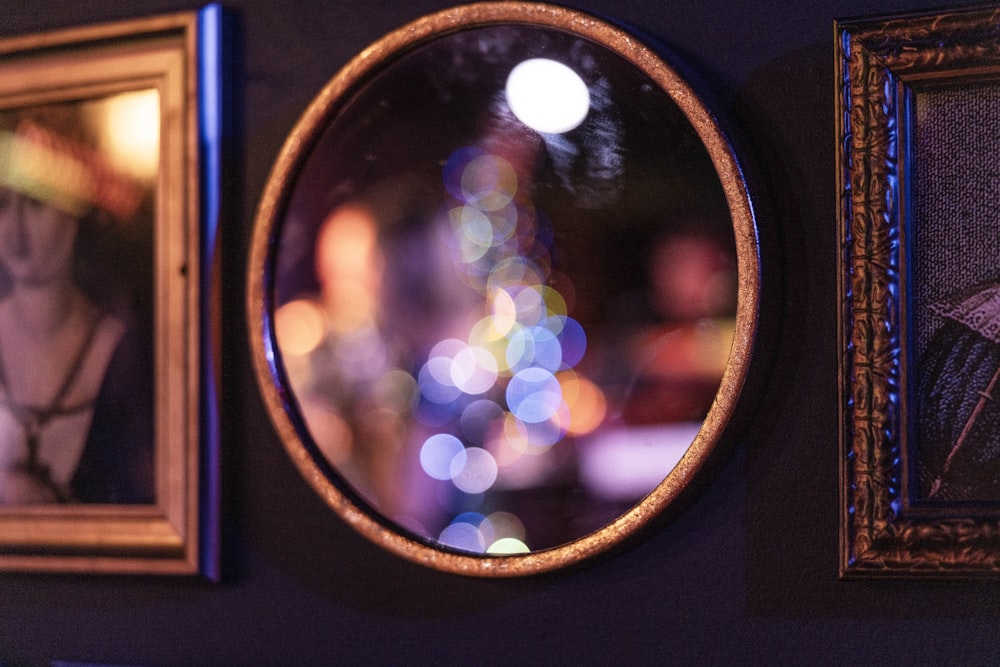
[(918, 111)]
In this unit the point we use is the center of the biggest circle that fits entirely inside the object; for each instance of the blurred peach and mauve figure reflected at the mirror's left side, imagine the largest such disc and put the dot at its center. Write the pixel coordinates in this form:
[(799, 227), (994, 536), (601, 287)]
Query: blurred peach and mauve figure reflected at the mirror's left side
[(355, 379)]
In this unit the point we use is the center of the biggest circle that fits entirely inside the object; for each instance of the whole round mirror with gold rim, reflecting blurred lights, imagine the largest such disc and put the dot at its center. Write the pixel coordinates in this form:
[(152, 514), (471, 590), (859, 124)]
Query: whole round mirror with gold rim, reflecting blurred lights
[(503, 288)]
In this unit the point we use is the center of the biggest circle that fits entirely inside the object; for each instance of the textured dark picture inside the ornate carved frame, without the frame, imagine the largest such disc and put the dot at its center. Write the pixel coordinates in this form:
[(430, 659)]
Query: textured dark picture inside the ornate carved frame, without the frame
[(956, 290)]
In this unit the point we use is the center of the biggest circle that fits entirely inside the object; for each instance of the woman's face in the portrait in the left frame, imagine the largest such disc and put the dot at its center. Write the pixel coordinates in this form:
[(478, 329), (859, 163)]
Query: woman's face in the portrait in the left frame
[(36, 239)]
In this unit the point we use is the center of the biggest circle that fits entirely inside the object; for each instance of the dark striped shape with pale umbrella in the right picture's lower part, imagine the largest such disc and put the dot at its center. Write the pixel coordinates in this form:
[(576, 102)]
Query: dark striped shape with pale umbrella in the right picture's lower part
[(959, 419)]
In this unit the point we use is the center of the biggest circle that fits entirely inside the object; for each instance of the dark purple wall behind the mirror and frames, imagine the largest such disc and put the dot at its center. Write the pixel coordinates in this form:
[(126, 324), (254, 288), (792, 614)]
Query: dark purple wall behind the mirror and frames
[(746, 575)]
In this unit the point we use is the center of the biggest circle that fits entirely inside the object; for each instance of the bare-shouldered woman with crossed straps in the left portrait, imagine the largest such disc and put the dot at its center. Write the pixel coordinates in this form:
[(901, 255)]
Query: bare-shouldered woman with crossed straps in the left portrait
[(75, 409)]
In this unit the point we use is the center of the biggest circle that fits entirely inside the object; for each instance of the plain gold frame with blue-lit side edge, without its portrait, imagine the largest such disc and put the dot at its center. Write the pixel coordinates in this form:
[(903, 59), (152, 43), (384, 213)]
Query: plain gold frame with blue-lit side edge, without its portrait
[(178, 56)]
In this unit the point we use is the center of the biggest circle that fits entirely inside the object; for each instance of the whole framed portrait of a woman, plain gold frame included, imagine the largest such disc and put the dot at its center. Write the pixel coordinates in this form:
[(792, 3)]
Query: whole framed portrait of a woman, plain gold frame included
[(109, 165)]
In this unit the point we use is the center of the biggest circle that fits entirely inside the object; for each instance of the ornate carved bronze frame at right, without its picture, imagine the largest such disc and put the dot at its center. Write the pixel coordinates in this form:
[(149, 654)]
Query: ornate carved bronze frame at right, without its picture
[(879, 63)]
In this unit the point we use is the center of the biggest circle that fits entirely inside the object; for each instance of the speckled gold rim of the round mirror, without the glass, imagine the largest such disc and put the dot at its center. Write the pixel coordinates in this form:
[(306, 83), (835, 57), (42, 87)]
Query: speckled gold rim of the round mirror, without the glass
[(260, 272)]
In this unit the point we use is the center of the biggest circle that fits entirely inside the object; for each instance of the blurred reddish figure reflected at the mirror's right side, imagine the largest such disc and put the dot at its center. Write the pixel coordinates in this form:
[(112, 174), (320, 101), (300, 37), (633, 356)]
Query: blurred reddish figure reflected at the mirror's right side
[(680, 359)]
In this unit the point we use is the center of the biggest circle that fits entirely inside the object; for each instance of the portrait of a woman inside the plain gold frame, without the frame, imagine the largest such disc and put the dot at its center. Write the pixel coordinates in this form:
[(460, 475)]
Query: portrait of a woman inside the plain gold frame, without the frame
[(77, 183)]
